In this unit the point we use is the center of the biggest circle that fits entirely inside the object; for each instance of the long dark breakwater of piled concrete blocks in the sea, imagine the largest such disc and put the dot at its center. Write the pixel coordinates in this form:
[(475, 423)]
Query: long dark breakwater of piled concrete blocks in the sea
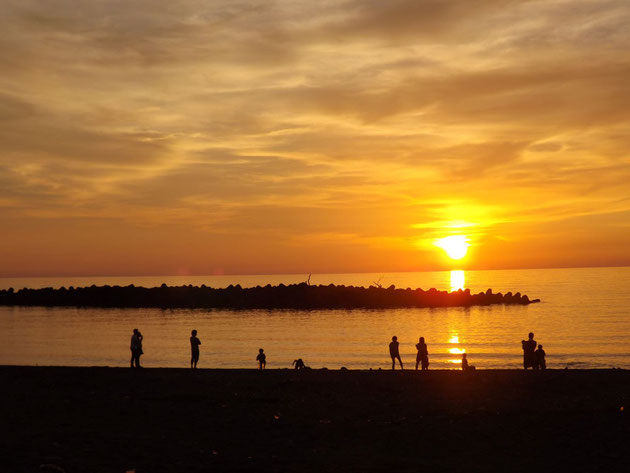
[(294, 296)]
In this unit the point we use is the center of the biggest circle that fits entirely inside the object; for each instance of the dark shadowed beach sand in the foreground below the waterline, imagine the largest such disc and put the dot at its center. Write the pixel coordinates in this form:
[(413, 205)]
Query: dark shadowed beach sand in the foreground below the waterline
[(176, 420)]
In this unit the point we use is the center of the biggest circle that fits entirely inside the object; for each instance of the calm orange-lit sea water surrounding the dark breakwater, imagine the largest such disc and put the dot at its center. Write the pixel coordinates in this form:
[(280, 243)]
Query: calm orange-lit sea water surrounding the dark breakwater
[(582, 322)]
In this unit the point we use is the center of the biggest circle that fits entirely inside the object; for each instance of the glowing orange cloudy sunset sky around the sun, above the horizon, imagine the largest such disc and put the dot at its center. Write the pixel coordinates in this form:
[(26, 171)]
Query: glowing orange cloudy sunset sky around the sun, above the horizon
[(204, 137)]
